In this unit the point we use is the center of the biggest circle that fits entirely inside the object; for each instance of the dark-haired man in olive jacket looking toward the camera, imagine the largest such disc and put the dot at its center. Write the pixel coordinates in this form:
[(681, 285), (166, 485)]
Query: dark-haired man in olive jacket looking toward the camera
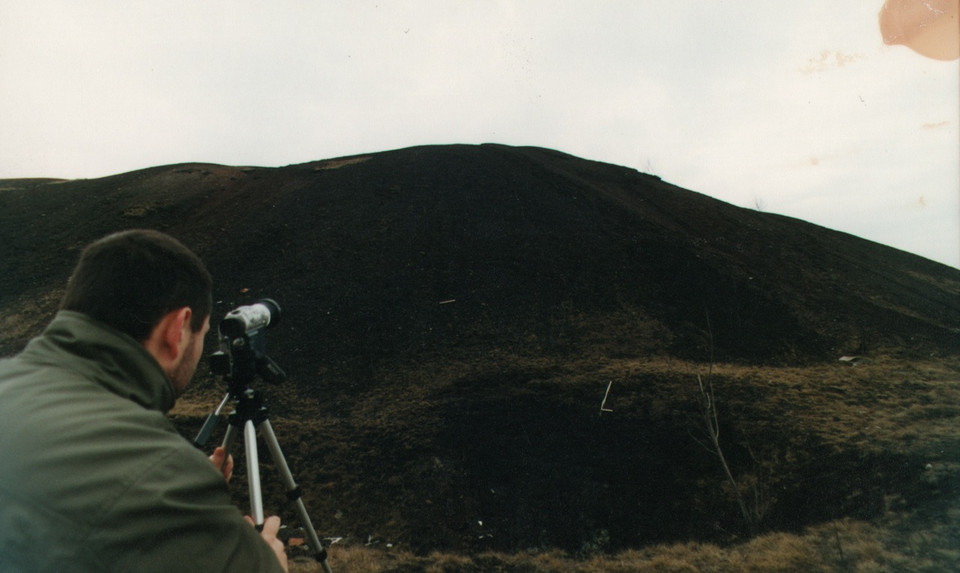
[(93, 476)]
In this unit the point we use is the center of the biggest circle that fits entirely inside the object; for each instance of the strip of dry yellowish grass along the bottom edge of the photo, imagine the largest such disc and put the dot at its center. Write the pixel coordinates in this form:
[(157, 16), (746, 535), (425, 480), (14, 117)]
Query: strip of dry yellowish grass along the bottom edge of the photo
[(839, 546)]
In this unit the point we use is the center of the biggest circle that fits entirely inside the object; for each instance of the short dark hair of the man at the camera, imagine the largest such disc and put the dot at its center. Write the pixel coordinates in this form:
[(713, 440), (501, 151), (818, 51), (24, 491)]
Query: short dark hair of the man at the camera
[(132, 279)]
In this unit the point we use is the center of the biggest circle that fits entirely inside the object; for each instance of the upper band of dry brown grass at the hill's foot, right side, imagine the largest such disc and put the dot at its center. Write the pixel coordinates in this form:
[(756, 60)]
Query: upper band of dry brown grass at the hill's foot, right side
[(880, 404)]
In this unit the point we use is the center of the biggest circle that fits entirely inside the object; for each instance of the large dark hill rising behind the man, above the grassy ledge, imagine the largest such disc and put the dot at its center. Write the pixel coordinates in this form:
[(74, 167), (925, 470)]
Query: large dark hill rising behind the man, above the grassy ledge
[(535, 247)]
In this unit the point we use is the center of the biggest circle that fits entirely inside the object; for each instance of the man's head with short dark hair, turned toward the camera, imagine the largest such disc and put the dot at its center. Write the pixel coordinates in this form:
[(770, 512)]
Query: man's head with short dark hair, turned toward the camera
[(151, 287)]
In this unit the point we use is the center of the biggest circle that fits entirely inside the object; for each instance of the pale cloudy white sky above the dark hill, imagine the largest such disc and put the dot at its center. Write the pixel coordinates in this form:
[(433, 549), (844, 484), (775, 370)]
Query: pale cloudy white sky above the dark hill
[(793, 108)]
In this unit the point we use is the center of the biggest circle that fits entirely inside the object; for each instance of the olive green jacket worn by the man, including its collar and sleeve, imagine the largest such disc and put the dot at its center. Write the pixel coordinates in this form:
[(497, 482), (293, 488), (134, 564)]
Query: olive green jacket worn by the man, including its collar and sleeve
[(94, 477)]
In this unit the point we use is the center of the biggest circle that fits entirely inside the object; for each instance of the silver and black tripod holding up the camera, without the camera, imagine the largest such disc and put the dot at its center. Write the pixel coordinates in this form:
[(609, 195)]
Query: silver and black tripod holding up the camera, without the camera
[(250, 414)]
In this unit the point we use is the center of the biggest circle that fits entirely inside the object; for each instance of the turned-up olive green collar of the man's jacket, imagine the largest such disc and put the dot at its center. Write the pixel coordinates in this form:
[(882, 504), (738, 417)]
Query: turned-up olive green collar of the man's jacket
[(111, 358)]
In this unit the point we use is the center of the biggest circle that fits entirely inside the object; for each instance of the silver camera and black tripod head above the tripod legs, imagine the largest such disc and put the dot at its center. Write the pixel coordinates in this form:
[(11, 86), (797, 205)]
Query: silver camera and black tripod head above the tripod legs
[(242, 355)]
